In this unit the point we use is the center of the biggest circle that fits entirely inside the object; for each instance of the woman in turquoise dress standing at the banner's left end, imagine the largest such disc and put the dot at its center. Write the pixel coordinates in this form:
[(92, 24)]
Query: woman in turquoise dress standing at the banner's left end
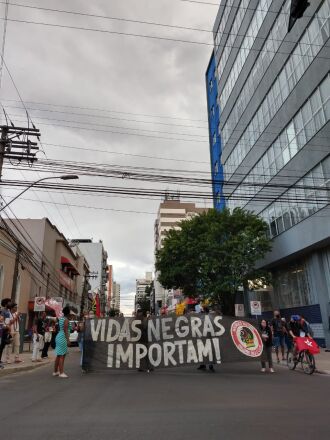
[(62, 343)]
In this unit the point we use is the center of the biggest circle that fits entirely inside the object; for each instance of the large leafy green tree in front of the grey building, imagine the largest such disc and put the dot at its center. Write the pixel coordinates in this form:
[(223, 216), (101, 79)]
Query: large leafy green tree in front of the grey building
[(213, 254)]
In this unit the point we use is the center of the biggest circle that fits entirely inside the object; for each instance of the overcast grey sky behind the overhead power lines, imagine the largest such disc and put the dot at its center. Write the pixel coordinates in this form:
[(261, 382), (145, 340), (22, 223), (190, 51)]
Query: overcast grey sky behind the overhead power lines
[(147, 89)]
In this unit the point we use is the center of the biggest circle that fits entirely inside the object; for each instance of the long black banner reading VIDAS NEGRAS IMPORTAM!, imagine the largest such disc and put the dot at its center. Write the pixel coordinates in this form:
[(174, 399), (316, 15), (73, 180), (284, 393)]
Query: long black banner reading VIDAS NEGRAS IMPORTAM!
[(170, 341)]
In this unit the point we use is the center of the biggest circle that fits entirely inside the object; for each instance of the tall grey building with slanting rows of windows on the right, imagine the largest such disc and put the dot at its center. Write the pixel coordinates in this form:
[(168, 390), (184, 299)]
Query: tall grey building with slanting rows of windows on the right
[(273, 91)]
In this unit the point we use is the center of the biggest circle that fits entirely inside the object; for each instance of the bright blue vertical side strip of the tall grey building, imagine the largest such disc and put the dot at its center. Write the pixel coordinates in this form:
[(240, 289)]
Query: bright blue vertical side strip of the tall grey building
[(214, 138)]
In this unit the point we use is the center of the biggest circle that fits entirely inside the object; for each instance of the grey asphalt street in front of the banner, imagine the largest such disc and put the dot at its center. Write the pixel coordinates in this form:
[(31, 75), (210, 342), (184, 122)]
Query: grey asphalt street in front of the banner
[(180, 403)]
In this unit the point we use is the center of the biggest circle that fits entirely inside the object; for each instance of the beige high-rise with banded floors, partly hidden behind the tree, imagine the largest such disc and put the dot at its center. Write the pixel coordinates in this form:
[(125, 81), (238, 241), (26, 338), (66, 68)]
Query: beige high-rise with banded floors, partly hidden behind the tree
[(170, 213)]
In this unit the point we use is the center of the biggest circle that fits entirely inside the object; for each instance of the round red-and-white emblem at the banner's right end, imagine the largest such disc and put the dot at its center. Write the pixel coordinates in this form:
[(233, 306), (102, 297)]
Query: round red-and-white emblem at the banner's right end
[(246, 338)]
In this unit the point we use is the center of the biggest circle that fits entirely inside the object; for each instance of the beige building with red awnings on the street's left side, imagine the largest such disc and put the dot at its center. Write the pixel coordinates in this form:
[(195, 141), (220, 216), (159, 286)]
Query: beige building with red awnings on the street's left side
[(54, 267)]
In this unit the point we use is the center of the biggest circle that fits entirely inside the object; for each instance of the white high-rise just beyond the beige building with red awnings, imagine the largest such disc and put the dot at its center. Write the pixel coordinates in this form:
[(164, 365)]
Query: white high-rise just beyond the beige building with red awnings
[(97, 260)]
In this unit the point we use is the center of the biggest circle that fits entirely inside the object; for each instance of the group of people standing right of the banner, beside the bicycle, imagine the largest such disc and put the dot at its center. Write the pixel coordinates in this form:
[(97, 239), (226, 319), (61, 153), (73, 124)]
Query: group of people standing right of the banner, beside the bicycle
[(280, 334)]
